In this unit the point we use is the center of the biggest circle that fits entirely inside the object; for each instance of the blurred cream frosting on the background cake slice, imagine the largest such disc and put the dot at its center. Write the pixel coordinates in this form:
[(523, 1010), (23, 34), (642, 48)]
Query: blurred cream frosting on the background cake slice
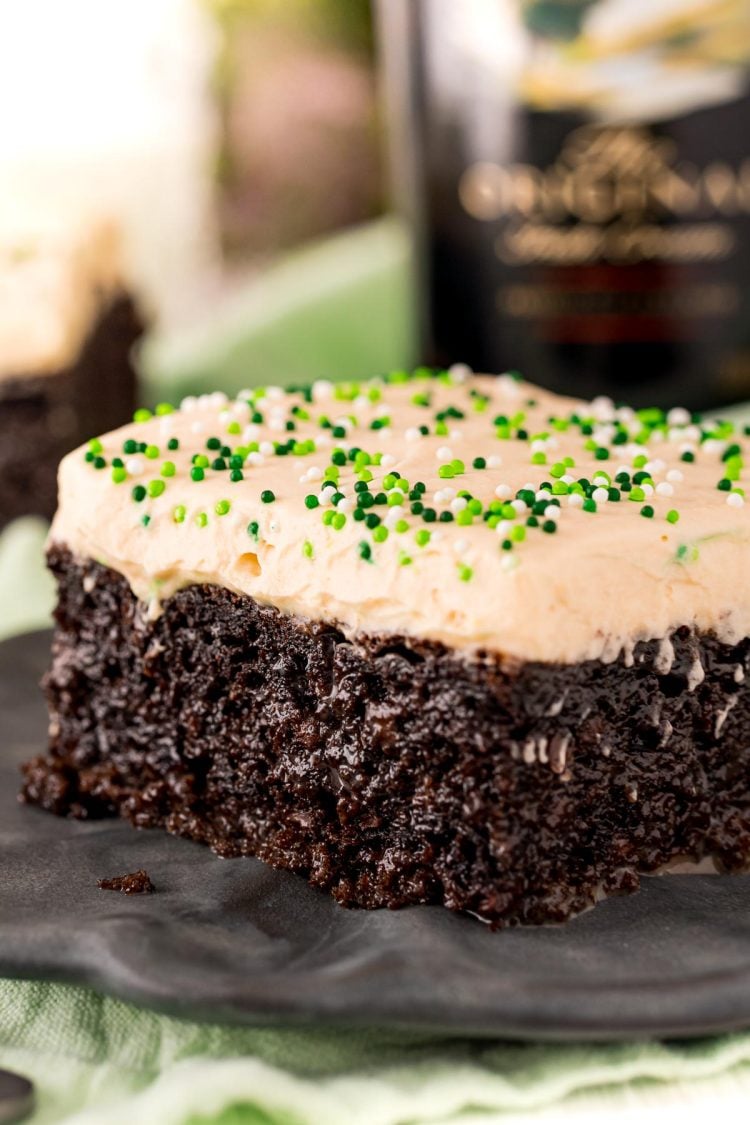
[(53, 282)]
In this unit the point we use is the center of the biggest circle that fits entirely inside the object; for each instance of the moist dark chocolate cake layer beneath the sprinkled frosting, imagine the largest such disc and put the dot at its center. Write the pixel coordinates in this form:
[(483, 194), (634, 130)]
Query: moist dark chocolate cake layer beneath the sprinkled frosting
[(387, 771)]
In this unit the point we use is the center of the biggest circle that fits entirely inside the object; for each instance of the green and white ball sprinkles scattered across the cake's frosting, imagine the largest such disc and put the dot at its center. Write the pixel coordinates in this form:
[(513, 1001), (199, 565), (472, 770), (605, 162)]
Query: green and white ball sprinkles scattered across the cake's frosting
[(349, 481)]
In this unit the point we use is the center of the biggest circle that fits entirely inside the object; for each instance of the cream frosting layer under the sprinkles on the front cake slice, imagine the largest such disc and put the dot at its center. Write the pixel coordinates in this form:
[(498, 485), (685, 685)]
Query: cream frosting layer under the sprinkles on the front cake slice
[(603, 581)]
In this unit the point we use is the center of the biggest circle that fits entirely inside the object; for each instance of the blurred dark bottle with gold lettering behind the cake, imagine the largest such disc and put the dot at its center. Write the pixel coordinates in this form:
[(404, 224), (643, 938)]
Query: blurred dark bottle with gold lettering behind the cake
[(577, 174)]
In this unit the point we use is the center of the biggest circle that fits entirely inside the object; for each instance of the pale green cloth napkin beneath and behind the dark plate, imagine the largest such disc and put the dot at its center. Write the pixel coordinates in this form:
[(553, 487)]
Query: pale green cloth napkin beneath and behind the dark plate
[(338, 310)]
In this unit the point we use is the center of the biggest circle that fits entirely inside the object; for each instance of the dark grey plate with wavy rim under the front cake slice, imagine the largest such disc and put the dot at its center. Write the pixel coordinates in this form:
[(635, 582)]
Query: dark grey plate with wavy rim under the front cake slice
[(232, 940)]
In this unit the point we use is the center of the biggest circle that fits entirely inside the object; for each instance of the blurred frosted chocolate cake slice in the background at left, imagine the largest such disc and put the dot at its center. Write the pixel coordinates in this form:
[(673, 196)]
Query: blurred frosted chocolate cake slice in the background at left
[(67, 332)]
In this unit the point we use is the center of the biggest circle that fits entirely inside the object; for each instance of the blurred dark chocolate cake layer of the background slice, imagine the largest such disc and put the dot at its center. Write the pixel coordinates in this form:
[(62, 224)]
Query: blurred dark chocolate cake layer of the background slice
[(44, 417)]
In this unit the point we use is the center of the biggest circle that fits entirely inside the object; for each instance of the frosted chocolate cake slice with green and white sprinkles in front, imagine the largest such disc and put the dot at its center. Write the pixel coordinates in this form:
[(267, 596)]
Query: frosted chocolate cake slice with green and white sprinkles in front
[(439, 638)]
